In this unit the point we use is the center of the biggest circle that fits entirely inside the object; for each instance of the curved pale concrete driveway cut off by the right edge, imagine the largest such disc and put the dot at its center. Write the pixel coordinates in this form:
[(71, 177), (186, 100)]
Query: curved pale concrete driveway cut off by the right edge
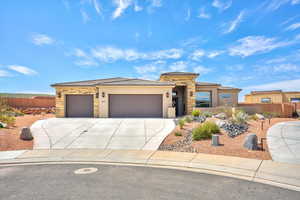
[(284, 142)]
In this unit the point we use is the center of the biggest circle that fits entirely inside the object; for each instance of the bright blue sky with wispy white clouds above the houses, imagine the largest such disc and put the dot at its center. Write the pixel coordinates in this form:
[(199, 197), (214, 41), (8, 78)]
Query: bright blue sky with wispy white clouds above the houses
[(253, 45)]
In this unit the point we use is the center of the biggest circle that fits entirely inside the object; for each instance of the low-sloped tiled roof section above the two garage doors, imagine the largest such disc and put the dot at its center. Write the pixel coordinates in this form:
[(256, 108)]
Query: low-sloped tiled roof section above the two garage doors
[(115, 82)]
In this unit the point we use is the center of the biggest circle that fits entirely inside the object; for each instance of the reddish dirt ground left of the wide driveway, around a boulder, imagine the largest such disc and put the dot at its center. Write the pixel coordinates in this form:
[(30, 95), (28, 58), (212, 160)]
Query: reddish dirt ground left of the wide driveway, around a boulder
[(10, 138)]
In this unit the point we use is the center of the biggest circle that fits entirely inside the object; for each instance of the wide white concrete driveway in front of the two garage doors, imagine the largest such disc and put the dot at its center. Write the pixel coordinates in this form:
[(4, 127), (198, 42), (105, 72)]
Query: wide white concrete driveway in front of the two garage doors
[(101, 133)]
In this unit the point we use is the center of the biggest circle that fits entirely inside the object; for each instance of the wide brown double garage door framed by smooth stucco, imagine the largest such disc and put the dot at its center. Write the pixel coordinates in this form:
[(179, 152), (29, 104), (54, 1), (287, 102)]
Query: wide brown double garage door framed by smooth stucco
[(135, 105)]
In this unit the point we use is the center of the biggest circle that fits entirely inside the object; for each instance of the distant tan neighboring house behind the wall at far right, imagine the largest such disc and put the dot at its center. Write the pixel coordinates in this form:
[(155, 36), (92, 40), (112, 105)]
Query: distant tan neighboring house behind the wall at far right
[(272, 96)]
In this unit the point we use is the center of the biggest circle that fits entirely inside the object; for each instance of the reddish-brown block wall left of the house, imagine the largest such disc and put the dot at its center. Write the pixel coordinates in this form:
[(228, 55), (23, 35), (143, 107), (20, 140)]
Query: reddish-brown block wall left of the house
[(34, 102)]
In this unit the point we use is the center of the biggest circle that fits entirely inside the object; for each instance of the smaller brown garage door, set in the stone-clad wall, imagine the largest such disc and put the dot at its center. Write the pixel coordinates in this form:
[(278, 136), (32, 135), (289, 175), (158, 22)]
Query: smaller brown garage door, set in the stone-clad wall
[(79, 106)]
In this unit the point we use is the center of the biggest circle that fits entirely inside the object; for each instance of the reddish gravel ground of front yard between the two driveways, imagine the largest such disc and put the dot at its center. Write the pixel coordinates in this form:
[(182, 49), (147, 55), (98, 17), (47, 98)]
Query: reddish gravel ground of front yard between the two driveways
[(228, 146)]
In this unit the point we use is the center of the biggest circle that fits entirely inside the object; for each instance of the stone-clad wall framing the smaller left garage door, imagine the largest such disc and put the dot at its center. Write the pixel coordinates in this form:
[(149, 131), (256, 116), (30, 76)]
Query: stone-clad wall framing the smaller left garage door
[(61, 102)]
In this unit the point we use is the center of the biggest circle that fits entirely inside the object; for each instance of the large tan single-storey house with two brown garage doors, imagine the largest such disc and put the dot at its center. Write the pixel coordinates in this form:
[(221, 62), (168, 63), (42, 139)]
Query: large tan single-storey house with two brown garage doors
[(129, 97)]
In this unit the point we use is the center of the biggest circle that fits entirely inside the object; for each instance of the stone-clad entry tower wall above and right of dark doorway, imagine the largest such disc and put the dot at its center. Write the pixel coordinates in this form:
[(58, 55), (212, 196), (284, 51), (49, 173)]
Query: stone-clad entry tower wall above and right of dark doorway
[(189, 82)]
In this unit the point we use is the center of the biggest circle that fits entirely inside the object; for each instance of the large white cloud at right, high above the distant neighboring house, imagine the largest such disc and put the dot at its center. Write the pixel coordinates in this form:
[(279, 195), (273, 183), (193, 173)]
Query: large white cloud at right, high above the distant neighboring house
[(250, 45)]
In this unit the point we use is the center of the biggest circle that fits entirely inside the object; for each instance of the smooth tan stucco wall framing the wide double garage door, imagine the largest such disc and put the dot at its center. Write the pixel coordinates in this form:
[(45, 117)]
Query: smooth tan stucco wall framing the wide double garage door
[(104, 104)]
